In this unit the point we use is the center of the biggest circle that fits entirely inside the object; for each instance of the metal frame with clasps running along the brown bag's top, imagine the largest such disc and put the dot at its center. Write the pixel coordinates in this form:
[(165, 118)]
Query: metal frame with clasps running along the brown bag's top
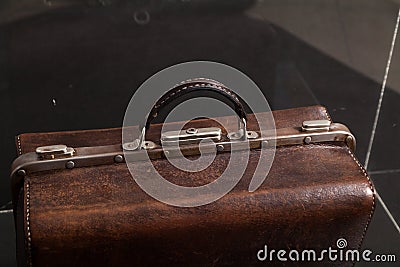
[(60, 156)]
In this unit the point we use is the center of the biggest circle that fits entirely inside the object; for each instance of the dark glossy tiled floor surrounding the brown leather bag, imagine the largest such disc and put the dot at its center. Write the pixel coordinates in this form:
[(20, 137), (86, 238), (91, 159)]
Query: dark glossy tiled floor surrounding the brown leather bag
[(332, 53)]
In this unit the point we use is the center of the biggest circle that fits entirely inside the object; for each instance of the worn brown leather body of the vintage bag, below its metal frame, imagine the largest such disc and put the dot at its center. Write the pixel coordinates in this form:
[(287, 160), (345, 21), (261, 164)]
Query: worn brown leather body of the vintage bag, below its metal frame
[(313, 195)]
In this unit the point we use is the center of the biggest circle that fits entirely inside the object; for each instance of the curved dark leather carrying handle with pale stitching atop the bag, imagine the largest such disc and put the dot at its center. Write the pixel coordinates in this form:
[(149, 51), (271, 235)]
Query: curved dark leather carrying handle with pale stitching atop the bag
[(199, 87)]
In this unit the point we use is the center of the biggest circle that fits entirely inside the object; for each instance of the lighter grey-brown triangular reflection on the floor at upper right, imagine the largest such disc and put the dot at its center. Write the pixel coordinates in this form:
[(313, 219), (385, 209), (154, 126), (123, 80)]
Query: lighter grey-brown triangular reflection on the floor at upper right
[(357, 33)]
